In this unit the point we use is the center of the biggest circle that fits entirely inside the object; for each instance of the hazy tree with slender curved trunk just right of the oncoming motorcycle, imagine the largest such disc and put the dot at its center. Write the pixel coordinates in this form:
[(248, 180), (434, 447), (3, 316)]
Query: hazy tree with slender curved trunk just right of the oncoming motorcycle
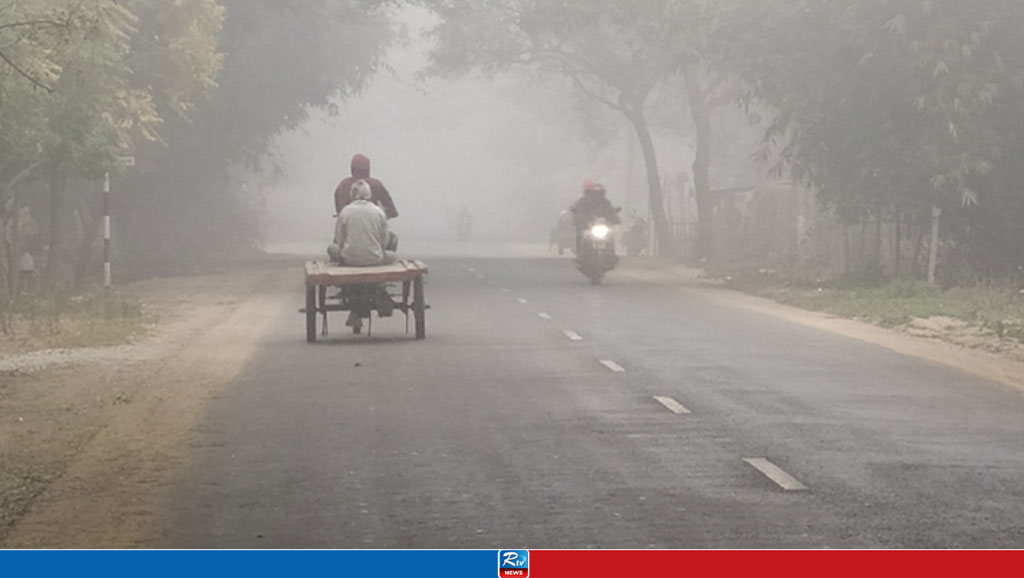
[(612, 52)]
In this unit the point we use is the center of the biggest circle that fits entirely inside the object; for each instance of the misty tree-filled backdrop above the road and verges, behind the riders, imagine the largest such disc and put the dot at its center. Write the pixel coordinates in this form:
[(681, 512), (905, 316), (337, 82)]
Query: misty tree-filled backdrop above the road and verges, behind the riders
[(852, 143)]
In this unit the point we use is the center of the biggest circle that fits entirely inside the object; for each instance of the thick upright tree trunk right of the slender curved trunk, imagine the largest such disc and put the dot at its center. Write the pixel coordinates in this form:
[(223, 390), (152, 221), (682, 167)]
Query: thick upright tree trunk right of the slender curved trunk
[(702, 164)]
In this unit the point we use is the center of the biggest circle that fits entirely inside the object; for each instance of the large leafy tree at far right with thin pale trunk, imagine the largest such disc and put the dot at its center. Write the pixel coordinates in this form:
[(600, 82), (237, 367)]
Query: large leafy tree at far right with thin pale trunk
[(893, 107)]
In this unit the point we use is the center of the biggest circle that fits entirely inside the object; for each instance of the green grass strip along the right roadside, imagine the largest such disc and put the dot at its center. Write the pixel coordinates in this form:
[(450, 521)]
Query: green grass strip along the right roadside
[(999, 312)]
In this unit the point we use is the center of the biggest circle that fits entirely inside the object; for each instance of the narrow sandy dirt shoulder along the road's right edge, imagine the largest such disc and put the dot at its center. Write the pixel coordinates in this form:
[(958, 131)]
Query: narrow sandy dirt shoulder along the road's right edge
[(936, 340)]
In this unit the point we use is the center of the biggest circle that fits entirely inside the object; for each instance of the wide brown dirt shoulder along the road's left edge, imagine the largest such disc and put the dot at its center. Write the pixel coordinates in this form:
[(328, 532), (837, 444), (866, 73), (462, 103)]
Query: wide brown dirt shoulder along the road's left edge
[(90, 449)]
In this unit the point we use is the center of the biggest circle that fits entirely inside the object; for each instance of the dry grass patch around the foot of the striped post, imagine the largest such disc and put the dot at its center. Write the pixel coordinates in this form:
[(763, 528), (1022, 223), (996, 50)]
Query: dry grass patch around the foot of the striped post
[(89, 320)]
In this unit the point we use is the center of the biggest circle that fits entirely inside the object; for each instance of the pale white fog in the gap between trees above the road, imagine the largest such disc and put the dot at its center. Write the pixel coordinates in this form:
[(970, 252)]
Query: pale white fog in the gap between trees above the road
[(510, 148)]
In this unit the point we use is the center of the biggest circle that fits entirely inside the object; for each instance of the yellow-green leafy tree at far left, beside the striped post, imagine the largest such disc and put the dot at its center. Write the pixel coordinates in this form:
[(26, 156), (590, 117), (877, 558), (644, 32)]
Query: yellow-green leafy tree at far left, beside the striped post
[(66, 65)]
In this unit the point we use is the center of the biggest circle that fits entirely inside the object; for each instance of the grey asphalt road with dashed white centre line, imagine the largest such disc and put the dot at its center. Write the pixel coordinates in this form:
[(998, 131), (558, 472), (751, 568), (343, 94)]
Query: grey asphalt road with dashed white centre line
[(545, 412)]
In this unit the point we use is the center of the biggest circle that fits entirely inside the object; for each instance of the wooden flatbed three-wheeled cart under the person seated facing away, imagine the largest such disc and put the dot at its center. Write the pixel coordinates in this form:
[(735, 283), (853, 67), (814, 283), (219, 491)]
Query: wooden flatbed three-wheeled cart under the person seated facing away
[(362, 292)]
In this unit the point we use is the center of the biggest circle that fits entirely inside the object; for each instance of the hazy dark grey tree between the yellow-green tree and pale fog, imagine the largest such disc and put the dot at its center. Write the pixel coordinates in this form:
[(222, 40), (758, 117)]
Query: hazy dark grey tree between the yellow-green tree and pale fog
[(281, 60)]
